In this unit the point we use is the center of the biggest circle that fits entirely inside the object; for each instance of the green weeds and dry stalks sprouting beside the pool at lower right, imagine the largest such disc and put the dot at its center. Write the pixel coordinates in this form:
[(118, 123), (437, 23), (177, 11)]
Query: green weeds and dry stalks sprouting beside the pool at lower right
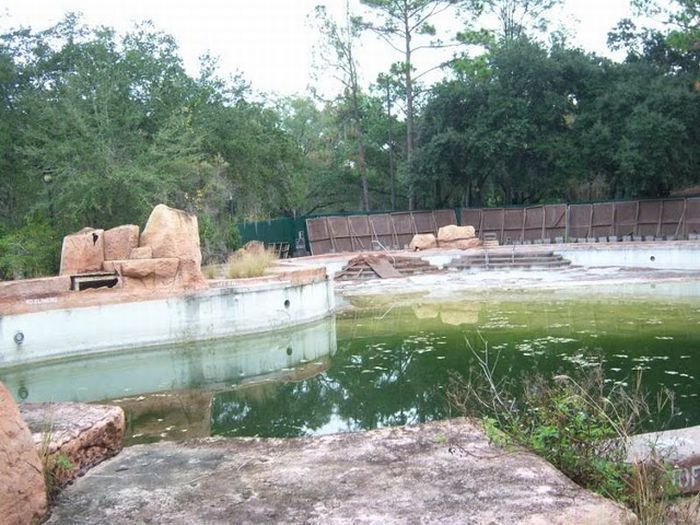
[(578, 423)]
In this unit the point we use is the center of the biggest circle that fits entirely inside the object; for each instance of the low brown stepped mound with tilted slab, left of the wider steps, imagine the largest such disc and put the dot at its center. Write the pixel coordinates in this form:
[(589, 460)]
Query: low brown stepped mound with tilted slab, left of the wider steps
[(380, 266)]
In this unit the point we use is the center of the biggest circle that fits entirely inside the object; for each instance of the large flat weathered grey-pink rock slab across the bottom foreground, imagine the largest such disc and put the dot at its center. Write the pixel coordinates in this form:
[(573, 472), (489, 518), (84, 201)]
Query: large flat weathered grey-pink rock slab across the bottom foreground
[(443, 472)]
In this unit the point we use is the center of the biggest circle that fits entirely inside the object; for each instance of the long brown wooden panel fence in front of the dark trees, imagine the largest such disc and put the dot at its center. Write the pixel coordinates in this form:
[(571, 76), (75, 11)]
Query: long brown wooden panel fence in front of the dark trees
[(662, 218)]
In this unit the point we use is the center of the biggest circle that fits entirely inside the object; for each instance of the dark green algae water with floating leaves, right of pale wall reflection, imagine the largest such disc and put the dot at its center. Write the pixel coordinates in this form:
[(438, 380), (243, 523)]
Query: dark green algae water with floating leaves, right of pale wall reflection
[(393, 363)]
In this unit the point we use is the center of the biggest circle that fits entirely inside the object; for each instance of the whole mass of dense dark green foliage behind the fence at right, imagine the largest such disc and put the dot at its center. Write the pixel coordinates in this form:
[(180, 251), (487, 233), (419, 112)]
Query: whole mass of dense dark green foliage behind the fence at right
[(523, 124)]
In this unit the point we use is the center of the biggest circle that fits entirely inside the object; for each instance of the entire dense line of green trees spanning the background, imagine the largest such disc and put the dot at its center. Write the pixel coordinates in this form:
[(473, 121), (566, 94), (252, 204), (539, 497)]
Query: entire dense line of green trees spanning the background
[(96, 128)]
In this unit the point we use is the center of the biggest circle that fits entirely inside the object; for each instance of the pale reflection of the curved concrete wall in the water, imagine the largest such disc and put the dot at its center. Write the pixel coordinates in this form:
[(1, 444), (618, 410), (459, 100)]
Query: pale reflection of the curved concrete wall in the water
[(205, 365)]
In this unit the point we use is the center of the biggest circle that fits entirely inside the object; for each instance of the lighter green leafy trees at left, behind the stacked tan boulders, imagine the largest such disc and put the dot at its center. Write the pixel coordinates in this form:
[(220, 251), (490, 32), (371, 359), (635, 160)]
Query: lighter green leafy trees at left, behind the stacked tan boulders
[(97, 129)]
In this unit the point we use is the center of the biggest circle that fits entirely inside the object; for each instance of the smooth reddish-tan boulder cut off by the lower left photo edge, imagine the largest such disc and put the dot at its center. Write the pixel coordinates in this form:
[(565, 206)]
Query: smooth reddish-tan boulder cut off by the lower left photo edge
[(22, 487)]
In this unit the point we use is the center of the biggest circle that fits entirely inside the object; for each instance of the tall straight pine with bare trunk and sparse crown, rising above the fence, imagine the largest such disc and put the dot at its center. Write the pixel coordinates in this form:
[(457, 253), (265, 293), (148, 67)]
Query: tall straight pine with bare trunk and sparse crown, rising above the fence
[(400, 25)]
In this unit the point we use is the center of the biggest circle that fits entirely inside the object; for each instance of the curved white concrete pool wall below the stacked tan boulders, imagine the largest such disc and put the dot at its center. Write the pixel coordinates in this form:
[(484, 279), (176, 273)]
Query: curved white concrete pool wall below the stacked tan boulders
[(77, 323)]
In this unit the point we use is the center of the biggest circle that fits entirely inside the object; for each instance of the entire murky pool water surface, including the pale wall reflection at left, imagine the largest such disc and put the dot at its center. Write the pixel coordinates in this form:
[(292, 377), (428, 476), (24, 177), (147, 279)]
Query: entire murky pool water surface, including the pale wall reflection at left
[(384, 362)]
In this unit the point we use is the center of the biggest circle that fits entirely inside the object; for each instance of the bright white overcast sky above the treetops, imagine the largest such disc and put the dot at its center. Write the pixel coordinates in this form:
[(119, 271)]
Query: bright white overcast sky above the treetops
[(269, 41)]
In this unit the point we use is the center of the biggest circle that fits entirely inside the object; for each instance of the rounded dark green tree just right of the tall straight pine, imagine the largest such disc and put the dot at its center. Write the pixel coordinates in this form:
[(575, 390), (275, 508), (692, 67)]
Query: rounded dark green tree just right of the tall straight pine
[(505, 128)]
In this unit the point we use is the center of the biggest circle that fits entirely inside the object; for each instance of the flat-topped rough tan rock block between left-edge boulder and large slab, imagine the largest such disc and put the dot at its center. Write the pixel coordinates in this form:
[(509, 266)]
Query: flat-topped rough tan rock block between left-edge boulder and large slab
[(74, 436)]
